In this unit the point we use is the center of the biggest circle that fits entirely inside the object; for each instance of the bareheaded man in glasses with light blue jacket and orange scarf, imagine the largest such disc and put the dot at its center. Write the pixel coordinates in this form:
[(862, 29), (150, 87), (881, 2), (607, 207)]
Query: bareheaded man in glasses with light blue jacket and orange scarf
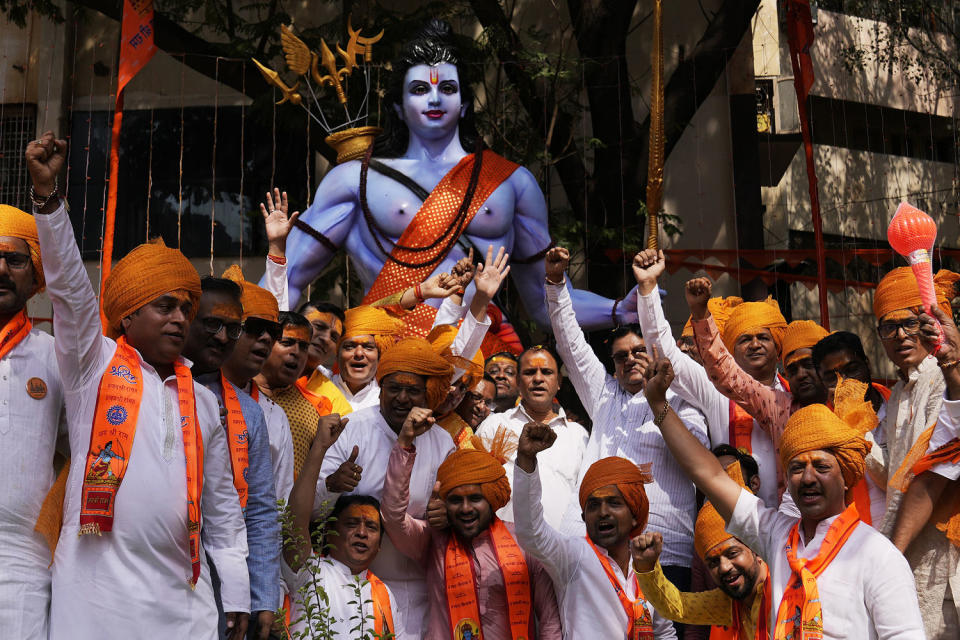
[(212, 336)]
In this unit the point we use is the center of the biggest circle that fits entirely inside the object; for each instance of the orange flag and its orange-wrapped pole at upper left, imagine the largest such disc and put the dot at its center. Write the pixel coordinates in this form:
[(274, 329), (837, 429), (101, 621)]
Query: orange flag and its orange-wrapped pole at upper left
[(136, 48)]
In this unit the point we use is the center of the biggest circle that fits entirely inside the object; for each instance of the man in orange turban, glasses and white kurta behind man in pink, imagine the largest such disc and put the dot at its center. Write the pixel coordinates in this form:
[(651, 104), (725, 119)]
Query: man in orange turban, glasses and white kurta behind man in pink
[(413, 380)]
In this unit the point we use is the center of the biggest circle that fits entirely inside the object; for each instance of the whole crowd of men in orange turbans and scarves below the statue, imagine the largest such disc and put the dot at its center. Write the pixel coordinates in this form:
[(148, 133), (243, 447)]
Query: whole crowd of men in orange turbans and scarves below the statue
[(229, 468)]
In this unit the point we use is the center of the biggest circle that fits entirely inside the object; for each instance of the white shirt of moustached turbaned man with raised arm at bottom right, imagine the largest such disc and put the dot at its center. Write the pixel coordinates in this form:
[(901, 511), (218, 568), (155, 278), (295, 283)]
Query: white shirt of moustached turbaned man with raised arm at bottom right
[(867, 592)]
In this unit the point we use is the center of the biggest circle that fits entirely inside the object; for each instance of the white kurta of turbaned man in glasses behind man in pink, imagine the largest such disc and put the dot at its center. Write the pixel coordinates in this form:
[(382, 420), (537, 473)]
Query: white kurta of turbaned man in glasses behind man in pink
[(368, 431)]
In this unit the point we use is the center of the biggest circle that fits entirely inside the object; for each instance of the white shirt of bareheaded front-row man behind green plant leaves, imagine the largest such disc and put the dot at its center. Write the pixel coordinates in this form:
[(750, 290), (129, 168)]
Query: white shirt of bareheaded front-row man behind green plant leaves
[(340, 587)]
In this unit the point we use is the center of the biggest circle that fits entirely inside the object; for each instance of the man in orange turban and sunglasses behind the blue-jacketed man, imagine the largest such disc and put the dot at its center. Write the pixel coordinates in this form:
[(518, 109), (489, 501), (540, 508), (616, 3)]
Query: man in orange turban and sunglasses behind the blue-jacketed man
[(261, 330)]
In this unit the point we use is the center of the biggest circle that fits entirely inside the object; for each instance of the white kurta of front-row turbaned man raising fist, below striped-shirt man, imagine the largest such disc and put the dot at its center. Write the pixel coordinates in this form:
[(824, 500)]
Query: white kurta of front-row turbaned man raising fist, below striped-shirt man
[(589, 606)]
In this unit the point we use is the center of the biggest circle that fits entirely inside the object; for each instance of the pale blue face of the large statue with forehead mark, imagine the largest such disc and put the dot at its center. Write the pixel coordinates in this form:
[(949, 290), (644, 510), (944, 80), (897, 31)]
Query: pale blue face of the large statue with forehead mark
[(432, 102)]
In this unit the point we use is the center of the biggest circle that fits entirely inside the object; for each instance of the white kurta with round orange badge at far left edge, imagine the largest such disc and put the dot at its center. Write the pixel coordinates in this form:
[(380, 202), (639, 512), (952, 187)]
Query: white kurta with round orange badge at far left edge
[(29, 427)]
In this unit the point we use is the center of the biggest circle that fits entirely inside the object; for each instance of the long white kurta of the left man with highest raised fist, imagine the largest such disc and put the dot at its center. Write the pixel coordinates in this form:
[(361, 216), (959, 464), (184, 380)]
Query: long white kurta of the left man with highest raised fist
[(133, 580)]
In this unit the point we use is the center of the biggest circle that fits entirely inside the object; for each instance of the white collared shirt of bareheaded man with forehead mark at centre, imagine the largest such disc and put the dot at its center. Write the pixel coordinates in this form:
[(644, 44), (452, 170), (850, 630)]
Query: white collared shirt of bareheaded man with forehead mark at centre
[(560, 464)]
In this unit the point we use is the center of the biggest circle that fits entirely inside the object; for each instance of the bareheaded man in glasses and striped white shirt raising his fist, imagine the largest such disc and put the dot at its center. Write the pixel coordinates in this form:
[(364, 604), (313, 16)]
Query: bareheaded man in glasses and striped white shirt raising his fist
[(623, 422)]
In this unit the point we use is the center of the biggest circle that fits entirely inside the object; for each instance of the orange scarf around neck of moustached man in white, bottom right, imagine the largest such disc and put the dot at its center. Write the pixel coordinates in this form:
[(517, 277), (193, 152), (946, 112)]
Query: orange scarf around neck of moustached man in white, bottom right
[(800, 616)]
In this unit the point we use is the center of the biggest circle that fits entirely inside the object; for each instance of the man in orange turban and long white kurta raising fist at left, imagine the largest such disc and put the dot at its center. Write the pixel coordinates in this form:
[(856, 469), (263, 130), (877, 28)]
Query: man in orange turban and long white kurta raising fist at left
[(150, 467)]
